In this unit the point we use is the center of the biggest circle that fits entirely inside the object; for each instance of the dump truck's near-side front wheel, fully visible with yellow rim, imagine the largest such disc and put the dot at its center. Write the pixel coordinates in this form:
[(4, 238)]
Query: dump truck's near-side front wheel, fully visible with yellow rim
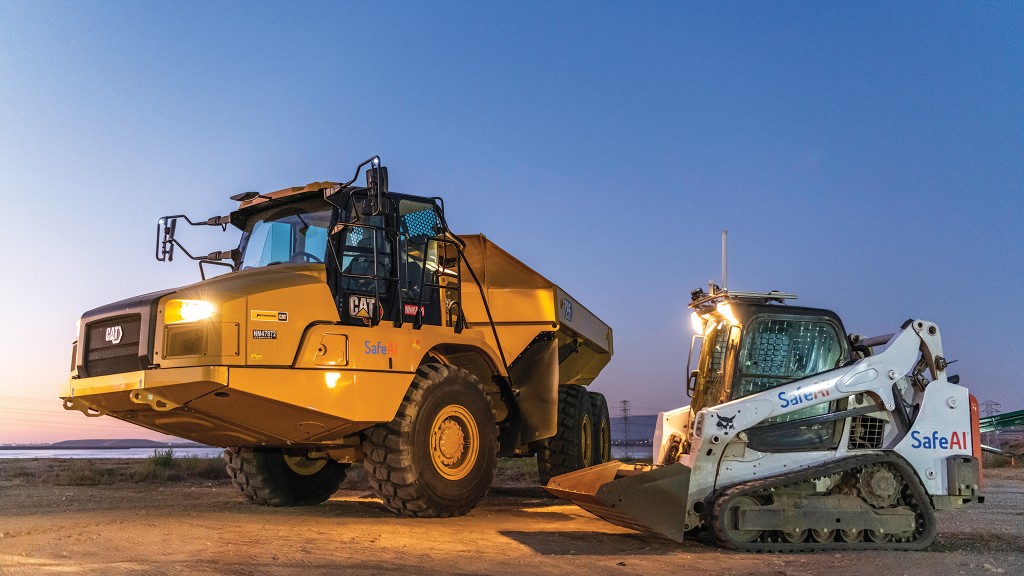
[(438, 458)]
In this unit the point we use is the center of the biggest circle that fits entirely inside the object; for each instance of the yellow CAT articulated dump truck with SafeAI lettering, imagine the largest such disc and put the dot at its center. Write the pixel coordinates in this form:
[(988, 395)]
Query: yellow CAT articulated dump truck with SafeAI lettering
[(354, 326)]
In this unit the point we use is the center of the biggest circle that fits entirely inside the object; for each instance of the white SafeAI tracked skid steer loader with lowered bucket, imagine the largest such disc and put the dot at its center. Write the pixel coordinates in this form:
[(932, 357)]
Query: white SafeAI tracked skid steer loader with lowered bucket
[(799, 437)]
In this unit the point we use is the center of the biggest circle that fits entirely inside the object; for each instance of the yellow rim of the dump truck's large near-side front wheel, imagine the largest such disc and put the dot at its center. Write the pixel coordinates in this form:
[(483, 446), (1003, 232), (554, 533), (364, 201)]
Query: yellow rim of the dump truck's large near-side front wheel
[(455, 442)]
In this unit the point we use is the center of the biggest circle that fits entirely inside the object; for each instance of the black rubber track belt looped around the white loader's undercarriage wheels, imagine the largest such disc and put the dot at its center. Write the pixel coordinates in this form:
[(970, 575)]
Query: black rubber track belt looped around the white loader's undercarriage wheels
[(920, 503)]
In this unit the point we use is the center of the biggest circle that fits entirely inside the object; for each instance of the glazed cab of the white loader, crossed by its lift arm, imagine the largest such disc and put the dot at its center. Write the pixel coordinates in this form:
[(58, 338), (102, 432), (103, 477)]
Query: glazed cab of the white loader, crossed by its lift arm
[(747, 348)]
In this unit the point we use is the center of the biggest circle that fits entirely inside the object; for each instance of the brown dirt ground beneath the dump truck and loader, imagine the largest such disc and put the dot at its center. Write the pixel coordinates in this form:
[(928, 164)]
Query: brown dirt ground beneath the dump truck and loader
[(205, 527)]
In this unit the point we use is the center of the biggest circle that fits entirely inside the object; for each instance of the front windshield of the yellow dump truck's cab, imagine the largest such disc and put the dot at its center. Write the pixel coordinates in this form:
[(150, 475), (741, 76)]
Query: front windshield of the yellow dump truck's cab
[(294, 233)]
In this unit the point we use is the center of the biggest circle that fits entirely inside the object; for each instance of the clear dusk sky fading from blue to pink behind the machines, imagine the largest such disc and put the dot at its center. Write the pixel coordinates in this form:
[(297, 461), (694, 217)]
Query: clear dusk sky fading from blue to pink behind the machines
[(867, 156)]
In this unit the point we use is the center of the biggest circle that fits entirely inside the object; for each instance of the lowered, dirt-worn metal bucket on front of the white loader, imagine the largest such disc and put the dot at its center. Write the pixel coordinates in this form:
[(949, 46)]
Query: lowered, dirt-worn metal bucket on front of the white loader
[(646, 499)]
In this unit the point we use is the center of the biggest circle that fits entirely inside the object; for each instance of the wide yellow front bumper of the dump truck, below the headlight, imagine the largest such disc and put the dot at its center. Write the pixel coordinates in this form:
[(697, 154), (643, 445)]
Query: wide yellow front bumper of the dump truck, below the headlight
[(228, 406)]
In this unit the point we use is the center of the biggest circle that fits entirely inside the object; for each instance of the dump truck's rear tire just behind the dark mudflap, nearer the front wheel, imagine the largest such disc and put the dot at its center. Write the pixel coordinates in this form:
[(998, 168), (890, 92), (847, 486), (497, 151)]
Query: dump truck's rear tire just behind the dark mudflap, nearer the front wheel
[(572, 447)]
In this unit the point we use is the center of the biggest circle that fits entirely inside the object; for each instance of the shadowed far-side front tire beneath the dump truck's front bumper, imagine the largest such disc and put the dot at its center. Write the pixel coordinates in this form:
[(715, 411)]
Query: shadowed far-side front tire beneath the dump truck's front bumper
[(269, 477)]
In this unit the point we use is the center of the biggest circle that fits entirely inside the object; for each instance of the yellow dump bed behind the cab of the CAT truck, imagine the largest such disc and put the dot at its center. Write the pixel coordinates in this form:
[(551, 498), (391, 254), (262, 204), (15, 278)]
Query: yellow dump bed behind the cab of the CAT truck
[(526, 306)]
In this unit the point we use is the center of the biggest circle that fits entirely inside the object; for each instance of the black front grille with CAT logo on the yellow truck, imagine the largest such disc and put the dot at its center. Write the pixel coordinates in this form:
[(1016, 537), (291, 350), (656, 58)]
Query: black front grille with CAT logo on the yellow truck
[(112, 346)]
